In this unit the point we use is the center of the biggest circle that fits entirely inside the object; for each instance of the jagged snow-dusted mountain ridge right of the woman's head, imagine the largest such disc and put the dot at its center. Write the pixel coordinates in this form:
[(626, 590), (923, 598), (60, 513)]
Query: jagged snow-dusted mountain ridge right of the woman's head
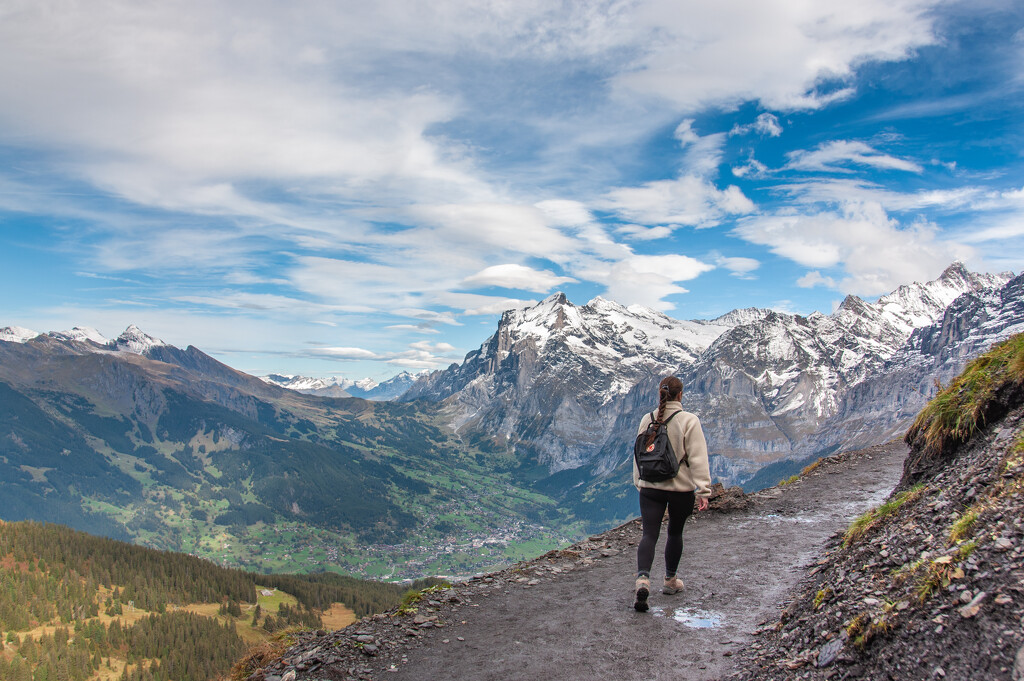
[(777, 389)]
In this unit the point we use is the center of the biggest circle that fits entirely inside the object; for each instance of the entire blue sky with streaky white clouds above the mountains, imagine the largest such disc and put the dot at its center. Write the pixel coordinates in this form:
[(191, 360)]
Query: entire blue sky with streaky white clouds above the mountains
[(358, 189)]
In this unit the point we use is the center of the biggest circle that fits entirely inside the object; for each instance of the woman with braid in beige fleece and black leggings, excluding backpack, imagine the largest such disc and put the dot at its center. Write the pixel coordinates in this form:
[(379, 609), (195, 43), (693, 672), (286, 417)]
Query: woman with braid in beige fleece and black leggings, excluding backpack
[(677, 494)]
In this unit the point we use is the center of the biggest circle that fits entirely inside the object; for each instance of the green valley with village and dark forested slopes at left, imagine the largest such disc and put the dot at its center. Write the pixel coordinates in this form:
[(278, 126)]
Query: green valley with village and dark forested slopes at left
[(188, 455)]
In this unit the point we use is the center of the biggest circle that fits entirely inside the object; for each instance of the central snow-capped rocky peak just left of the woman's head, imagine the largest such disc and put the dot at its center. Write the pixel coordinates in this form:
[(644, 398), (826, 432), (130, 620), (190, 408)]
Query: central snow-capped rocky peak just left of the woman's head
[(552, 379)]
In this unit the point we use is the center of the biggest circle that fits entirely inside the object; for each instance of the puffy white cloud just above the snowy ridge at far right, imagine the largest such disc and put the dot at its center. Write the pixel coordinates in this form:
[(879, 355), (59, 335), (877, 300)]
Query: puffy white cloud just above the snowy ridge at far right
[(876, 252)]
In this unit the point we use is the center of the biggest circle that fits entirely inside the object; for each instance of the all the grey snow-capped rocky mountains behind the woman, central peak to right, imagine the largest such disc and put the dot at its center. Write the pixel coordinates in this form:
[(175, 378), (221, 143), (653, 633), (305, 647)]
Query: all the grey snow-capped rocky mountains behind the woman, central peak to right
[(567, 385)]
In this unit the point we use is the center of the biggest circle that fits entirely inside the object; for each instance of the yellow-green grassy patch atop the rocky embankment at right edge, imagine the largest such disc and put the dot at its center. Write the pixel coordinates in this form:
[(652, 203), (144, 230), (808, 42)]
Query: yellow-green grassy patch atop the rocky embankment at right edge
[(960, 409)]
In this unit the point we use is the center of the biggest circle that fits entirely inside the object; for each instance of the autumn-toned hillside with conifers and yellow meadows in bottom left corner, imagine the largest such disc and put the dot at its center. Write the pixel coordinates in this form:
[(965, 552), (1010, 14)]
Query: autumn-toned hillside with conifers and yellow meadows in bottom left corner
[(75, 607)]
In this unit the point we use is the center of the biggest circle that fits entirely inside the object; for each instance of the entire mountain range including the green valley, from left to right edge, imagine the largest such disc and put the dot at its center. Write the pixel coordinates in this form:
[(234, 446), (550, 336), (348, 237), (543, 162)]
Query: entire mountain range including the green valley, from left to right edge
[(136, 439)]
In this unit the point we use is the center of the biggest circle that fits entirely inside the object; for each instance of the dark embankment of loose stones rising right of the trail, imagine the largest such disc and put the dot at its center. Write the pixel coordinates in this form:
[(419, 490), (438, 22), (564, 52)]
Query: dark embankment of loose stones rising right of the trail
[(930, 585)]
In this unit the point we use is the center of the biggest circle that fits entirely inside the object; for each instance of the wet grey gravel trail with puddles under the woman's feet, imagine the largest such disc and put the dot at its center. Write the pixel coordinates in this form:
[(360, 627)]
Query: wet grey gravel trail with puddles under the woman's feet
[(738, 567)]
